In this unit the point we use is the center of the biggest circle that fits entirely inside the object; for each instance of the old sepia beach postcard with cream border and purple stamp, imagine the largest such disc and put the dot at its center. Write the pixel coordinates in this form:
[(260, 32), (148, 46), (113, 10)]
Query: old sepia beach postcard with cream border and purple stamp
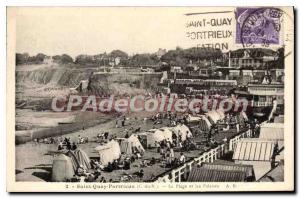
[(150, 99)]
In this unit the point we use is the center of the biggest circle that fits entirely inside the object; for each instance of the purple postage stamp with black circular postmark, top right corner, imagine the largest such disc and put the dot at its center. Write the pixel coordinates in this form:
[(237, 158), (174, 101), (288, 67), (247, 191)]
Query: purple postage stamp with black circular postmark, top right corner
[(258, 26)]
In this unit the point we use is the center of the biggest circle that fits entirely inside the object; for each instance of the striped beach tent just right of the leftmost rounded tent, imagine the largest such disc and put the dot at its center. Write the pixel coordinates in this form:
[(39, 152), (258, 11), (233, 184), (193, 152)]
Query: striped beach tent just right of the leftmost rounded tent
[(79, 159)]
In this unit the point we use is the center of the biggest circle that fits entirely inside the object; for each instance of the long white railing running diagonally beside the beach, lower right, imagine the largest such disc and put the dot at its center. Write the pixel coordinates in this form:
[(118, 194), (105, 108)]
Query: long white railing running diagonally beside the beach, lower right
[(210, 156)]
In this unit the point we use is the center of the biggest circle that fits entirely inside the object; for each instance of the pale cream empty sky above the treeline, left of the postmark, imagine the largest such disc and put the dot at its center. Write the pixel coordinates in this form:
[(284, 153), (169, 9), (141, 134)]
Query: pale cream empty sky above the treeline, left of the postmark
[(92, 31)]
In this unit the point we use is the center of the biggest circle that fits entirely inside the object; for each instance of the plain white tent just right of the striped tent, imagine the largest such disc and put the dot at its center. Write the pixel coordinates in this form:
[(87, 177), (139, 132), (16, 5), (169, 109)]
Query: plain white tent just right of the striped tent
[(109, 152)]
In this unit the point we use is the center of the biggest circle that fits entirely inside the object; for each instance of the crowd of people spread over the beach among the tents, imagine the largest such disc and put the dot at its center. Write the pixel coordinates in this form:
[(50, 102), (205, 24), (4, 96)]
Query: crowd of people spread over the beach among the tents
[(167, 148)]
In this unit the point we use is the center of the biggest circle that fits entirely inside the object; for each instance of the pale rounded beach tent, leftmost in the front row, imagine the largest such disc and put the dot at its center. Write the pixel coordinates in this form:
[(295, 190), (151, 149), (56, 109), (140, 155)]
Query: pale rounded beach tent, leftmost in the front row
[(62, 168)]
